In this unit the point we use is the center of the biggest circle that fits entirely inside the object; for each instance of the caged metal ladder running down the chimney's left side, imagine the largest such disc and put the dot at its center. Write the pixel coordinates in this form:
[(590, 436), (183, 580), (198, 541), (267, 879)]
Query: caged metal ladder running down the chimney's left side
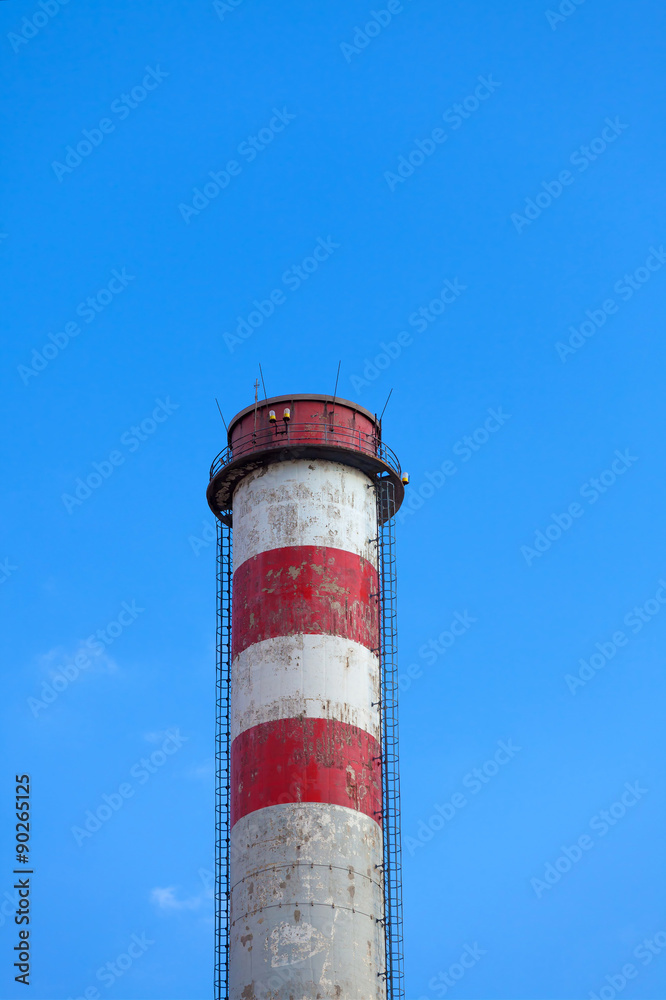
[(222, 760)]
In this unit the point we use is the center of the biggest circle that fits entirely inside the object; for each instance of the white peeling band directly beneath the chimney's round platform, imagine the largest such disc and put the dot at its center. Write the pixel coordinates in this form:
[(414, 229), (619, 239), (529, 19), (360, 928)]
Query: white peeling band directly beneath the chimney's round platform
[(305, 503)]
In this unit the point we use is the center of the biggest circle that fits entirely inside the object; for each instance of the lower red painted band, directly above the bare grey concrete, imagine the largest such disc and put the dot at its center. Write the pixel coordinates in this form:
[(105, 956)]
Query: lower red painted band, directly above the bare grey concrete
[(305, 760)]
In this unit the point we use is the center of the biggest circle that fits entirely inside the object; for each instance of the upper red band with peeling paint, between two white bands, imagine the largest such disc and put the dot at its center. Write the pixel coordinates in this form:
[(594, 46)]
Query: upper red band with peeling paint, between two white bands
[(305, 589)]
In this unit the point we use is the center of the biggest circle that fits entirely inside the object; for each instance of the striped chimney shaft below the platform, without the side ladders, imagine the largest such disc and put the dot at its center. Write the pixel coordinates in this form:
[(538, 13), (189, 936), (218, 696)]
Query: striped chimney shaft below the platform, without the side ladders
[(306, 898)]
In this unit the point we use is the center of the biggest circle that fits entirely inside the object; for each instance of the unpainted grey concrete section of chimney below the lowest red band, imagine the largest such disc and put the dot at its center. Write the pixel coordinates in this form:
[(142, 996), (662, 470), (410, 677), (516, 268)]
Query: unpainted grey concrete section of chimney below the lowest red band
[(306, 898)]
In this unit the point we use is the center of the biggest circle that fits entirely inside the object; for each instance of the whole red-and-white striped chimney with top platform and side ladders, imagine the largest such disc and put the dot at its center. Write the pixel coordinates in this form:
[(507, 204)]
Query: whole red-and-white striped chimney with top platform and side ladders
[(308, 891)]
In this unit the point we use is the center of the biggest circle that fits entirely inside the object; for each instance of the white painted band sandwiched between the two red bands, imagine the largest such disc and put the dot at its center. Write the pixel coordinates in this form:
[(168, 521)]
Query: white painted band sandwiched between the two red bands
[(311, 676)]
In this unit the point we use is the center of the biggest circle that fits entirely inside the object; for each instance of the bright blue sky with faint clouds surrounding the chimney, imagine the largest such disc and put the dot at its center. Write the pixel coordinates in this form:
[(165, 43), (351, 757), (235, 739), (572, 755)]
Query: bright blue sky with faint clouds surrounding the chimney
[(537, 200)]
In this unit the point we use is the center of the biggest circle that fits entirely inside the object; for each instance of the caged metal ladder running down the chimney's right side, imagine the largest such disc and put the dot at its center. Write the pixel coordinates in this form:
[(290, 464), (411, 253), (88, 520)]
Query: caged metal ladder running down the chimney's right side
[(388, 656)]
